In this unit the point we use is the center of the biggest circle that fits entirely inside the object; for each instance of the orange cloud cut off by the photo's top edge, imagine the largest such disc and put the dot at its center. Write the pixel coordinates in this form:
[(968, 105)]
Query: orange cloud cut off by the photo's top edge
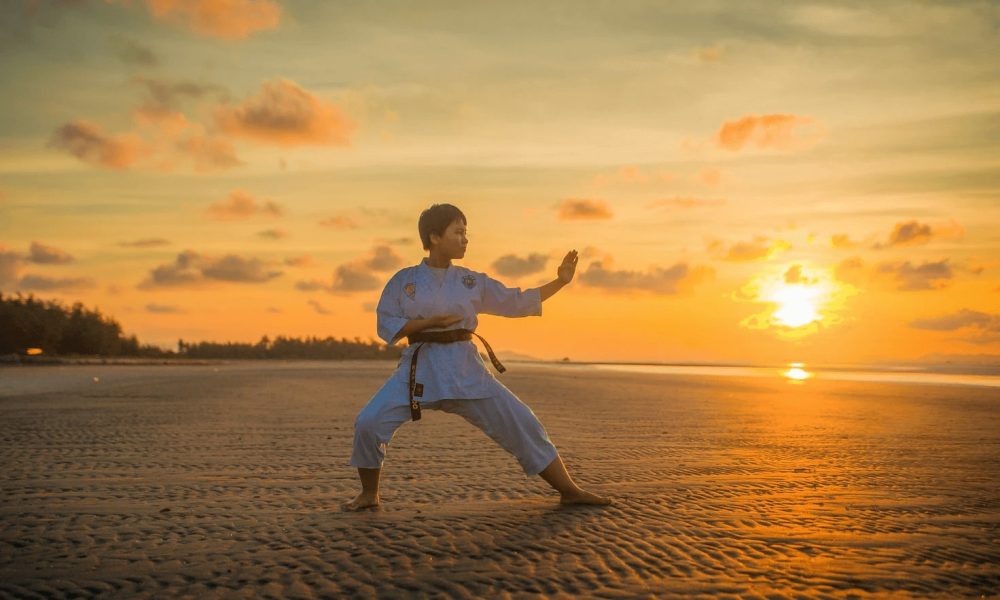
[(225, 19)]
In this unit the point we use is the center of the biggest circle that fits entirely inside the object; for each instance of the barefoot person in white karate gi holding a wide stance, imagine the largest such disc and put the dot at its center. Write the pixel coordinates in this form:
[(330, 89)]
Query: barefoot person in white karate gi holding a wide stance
[(434, 304)]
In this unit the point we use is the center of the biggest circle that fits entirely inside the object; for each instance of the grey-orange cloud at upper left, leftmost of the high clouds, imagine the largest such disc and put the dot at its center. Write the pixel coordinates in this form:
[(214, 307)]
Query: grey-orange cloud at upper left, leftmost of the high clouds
[(91, 144)]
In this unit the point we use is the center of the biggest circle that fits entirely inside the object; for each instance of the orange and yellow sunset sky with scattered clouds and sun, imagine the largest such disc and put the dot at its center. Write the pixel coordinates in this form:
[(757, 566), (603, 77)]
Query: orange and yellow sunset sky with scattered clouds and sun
[(745, 181)]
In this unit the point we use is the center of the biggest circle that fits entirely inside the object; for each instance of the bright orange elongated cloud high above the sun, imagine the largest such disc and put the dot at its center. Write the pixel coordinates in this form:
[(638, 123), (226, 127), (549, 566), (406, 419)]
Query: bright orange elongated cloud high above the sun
[(775, 131)]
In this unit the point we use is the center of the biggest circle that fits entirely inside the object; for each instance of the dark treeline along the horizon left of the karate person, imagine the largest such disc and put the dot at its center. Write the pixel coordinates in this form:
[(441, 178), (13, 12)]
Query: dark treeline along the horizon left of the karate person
[(59, 330)]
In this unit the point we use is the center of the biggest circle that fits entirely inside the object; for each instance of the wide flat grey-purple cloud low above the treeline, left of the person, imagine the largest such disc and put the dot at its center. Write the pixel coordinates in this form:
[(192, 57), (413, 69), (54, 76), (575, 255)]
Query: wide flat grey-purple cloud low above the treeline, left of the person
[(191, 268)]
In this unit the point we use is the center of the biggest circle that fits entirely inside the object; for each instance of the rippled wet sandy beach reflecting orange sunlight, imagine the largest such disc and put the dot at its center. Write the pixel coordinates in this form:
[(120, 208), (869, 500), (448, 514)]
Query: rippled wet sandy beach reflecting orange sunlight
[(226, 480)]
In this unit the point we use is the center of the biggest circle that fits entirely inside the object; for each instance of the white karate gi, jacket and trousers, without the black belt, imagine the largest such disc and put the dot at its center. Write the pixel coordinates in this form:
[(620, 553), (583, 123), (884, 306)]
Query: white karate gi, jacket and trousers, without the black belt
[(454, 377)]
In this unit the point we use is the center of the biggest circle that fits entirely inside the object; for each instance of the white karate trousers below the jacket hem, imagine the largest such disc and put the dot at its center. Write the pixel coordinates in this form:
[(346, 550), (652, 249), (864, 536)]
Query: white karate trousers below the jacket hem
[(502, 416)]
